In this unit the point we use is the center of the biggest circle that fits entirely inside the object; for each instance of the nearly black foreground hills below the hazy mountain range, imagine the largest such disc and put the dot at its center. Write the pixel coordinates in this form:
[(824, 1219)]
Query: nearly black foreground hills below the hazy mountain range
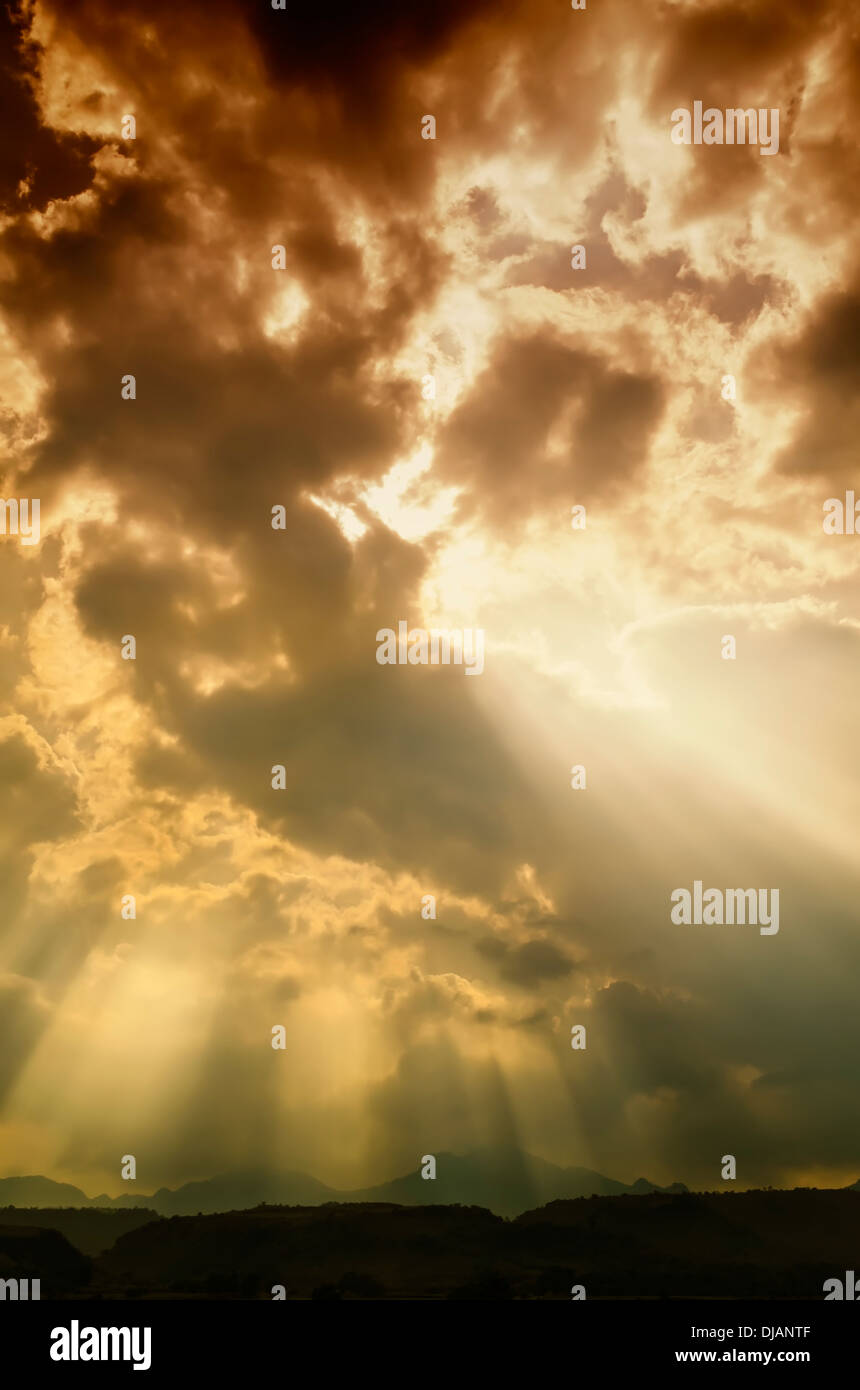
[(762, 1245)]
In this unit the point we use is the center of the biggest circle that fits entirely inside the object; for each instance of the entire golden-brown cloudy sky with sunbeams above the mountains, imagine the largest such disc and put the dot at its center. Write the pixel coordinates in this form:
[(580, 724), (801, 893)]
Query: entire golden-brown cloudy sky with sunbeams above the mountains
[(304, 389)]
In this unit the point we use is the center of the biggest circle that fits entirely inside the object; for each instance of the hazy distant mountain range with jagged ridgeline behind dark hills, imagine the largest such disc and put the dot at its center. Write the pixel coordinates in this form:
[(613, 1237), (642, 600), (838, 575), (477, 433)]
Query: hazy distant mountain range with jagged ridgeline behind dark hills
[(506, 1181)]
